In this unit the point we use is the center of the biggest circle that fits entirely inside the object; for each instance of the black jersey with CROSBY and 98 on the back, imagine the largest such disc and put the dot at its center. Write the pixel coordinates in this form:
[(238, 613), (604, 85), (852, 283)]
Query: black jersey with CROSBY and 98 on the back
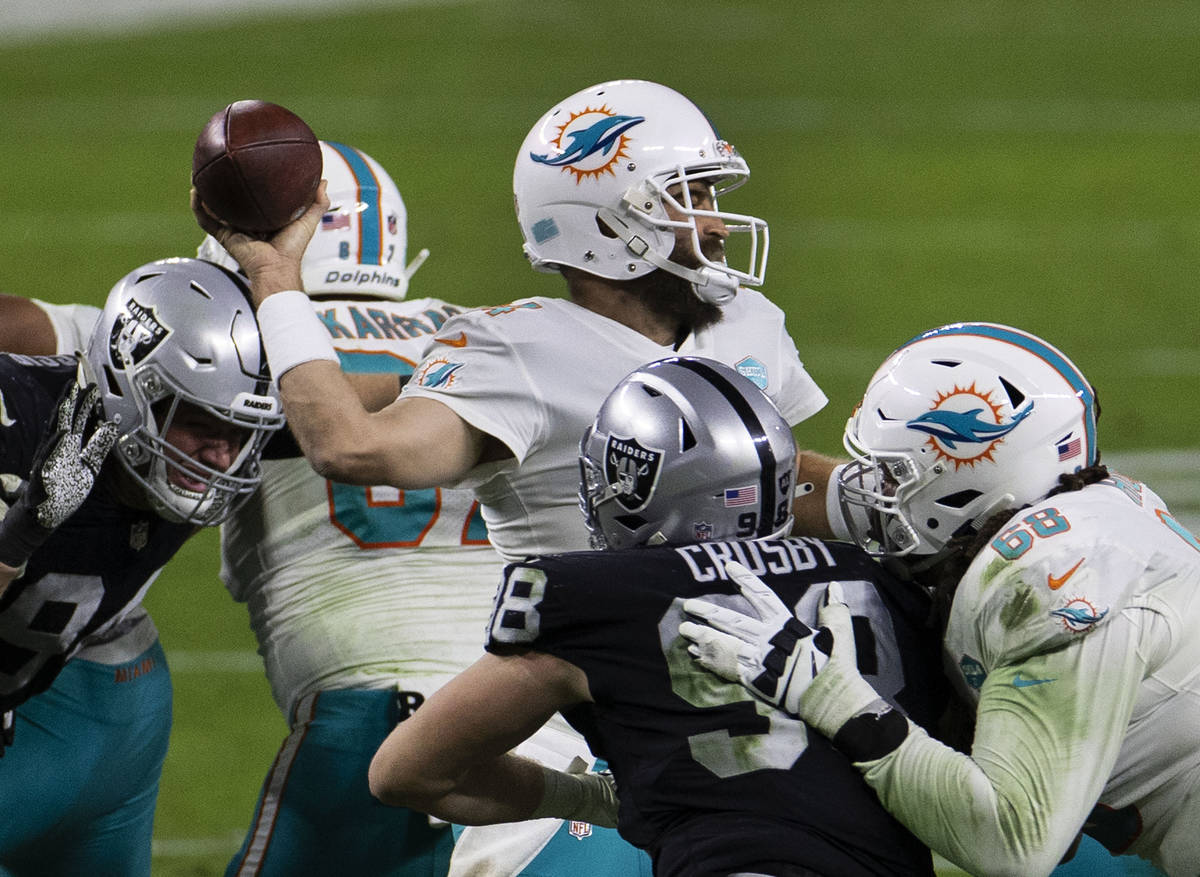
[(710, 780)]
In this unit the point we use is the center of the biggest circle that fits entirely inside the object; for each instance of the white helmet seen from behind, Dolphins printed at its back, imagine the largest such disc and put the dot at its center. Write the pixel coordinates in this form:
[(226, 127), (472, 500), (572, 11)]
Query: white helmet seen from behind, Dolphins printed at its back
[(362, 243)]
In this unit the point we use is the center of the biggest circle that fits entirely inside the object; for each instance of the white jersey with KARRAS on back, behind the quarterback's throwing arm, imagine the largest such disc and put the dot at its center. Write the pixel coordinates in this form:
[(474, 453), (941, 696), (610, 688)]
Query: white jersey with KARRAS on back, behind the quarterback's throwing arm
[(362, 587)]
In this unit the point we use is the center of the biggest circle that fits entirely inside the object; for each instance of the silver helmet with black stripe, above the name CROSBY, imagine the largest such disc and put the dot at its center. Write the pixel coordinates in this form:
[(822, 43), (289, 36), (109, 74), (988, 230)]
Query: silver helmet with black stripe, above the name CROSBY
[(686, 450)]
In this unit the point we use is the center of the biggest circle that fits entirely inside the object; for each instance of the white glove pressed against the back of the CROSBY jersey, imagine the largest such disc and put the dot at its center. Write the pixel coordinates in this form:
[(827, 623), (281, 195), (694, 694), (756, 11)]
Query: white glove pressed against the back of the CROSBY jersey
[(775, 656)]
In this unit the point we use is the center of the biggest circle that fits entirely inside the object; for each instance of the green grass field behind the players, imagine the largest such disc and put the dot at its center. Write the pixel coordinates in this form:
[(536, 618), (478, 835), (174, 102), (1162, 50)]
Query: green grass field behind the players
[(920, 163)]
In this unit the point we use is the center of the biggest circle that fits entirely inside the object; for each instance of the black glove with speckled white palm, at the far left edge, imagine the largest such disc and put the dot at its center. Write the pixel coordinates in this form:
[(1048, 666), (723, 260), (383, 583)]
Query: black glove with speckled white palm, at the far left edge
[(65, 468)]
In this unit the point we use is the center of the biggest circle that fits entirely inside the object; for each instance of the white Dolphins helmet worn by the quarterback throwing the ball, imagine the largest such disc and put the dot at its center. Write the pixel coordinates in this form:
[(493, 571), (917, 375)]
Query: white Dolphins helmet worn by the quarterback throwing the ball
[(616, 153)]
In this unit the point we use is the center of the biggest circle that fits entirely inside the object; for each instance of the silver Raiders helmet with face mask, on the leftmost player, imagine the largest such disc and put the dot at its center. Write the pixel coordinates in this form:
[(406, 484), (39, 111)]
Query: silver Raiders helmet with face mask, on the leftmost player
[(183, 332)]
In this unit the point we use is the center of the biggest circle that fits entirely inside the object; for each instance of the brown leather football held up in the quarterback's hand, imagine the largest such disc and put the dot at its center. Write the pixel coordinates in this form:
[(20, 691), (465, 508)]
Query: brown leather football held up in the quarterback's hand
[(256, 166)]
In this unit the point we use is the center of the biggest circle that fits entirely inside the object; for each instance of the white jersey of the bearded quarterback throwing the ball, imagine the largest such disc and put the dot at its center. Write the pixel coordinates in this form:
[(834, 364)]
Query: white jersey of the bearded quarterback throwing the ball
[(536, 373)]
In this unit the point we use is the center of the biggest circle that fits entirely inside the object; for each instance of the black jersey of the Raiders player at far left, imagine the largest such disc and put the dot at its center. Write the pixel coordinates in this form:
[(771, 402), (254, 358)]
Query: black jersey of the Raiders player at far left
[(93, 570)]
